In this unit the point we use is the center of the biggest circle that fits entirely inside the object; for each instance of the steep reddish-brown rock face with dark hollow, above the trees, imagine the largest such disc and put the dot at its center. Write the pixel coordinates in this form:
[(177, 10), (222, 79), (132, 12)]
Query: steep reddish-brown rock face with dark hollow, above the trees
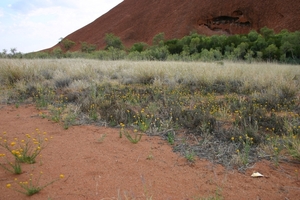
[(139, 20)]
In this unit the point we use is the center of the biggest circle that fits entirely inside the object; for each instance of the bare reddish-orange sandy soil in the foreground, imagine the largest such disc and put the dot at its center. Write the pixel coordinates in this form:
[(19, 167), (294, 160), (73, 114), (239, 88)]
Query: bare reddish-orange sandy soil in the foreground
[(114, 168)]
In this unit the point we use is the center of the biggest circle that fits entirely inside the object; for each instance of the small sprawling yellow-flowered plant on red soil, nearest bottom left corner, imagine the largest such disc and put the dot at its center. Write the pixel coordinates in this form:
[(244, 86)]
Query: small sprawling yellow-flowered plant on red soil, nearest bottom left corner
[(29, 188)]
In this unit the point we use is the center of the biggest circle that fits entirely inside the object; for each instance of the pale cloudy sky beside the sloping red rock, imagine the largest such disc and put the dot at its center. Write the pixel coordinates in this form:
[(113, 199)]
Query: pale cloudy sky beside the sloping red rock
[(33, 25)]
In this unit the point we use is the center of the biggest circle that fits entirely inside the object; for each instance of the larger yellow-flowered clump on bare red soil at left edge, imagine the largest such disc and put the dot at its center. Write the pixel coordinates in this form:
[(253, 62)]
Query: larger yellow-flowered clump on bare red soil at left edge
[(25, 150)]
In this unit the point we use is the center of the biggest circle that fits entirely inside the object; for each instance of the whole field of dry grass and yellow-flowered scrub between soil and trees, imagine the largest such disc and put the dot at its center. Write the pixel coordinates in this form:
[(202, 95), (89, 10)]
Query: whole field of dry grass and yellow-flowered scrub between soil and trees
[(214, 102)]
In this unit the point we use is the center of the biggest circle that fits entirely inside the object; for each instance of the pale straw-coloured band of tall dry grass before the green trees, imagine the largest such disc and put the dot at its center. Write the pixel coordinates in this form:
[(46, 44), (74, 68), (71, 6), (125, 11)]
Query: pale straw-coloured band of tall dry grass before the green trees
[(260, 75)]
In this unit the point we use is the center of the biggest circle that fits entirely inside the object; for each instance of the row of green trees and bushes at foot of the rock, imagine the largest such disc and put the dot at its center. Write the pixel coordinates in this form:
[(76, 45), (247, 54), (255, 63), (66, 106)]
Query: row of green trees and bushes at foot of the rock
[(265, 45)]
